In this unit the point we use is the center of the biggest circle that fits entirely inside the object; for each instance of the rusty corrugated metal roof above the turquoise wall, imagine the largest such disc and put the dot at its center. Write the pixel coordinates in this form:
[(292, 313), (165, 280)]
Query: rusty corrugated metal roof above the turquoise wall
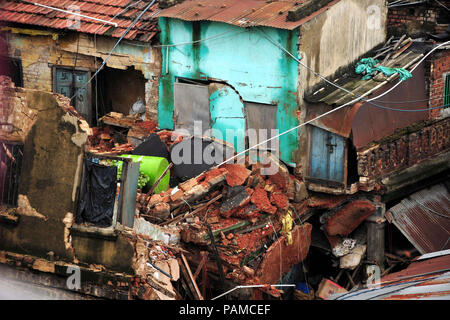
[(241, 13)]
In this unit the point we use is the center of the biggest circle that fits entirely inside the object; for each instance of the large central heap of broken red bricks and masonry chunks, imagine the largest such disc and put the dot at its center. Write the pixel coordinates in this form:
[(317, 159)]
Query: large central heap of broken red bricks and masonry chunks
[(252, 215)]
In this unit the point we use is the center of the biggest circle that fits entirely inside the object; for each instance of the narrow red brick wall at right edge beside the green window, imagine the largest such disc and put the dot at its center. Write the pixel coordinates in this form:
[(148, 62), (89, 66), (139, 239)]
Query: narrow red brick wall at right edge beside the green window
[(439, 68)]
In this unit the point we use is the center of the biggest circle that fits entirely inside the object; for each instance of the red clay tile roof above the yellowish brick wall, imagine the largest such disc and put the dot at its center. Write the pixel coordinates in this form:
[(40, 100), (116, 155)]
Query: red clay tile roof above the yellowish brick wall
[(24, 12)]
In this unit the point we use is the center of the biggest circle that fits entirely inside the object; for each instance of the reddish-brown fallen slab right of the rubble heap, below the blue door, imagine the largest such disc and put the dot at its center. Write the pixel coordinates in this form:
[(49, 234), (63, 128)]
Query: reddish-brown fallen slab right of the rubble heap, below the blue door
[(346, 219)]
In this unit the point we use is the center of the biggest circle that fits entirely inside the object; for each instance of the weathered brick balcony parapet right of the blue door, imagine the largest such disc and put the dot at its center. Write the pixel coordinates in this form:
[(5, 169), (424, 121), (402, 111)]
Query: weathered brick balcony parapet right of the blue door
[(405, 151)]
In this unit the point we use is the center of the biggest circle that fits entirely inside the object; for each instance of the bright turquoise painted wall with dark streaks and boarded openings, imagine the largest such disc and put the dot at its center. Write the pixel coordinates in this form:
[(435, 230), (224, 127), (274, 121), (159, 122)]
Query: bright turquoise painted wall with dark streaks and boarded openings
[(239, 57)]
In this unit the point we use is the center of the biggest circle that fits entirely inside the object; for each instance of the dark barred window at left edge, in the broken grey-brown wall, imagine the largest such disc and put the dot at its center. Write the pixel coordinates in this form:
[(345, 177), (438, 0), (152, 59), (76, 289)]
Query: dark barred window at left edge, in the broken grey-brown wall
[(10, 169)]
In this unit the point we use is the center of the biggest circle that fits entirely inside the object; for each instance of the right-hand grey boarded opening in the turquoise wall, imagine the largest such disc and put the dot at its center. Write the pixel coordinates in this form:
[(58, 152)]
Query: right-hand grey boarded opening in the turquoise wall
[(261, 119)]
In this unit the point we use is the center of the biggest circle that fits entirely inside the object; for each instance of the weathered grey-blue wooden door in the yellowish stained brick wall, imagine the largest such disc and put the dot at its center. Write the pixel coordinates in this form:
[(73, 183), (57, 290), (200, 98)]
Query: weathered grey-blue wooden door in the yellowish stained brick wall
[(65, 80)]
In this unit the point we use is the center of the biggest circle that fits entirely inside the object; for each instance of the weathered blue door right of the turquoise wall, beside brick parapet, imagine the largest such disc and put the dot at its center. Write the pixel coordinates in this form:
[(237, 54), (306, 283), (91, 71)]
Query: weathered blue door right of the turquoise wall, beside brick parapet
[(327, 155)]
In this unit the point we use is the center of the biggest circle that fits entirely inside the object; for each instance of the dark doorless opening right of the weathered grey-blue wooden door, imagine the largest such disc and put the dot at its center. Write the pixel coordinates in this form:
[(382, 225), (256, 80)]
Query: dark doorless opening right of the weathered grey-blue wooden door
[(116, 90)]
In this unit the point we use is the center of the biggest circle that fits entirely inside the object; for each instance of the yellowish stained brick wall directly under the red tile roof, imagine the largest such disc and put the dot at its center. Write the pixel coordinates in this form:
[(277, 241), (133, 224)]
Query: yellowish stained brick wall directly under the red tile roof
[(39, 53)]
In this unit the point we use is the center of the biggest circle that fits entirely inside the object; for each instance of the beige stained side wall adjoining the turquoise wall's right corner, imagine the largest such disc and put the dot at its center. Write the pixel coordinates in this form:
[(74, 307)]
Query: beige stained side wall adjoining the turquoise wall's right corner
[(335, 39)]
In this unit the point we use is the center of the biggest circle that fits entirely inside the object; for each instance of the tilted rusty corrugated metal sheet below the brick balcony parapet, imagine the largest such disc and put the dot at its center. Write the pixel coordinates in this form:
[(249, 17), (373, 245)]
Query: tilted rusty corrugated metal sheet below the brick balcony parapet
[(424, 218)]
